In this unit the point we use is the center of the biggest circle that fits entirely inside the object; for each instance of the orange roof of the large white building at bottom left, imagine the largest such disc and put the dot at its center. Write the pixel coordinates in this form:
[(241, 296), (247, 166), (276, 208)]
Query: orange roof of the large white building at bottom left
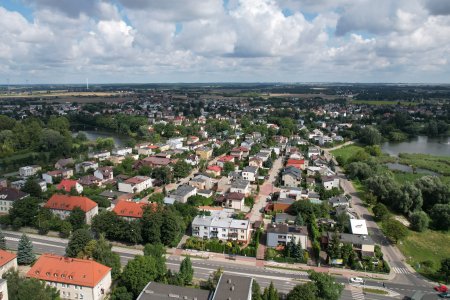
[(75, 271)]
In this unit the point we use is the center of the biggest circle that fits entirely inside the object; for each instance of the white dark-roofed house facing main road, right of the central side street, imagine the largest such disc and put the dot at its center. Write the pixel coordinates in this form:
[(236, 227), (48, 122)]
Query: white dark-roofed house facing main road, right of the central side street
[(282, 234)]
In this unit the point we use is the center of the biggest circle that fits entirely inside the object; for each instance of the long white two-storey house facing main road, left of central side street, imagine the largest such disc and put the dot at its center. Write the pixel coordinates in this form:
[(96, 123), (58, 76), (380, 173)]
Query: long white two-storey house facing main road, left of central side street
[(222, 228)]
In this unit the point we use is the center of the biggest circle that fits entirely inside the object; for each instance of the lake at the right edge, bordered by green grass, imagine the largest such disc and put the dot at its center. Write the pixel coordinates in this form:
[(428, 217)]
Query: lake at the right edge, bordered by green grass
[(420, 144)]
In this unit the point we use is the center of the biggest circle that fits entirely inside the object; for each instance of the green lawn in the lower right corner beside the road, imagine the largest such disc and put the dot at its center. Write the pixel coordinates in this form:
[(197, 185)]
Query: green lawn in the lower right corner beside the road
[(420, 247)]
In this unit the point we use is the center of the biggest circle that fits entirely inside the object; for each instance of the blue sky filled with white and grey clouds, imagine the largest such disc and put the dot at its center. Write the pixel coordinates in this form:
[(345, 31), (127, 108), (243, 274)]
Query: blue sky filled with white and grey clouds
[(154, 41)]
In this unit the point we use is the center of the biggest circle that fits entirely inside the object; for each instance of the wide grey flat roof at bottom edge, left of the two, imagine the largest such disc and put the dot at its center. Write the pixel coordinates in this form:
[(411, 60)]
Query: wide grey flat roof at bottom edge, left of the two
[(156, 291)]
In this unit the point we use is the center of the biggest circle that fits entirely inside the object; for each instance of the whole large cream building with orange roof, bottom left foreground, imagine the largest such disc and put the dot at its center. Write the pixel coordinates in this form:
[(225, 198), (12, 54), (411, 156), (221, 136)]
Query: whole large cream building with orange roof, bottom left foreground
[(74, 278)]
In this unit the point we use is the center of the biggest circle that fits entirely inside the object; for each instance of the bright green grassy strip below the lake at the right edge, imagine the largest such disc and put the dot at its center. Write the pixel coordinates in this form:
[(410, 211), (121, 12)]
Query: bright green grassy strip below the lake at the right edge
[(438, 164)]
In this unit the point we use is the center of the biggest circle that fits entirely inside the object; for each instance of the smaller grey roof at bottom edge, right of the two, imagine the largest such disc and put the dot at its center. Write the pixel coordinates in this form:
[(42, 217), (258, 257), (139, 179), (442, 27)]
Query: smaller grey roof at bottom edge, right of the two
[(232, 287)]
